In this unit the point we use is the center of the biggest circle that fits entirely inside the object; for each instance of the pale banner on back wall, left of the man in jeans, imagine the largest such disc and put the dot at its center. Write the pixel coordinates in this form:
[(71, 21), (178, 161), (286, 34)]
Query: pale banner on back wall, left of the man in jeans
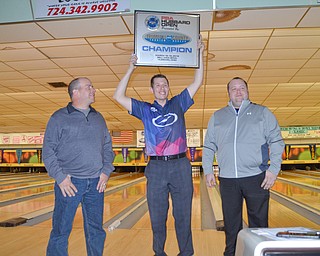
[(21, 138)]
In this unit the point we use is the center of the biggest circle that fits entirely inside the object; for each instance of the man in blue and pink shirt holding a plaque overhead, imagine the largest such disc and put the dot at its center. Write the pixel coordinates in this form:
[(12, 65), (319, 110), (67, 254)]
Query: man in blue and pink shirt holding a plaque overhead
[(168, 171)]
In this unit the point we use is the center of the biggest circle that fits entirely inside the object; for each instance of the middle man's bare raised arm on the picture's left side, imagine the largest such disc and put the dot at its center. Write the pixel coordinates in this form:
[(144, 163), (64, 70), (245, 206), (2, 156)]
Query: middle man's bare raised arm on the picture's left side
[(120, 93)]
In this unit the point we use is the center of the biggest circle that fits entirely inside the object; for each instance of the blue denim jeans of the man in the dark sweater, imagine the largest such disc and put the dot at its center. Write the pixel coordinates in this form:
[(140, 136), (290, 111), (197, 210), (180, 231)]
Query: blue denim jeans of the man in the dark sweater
[(63, 215)]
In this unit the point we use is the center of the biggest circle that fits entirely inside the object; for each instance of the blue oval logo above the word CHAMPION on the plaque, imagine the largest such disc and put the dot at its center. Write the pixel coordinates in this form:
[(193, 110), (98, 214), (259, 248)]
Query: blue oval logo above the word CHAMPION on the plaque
[(165, 38)]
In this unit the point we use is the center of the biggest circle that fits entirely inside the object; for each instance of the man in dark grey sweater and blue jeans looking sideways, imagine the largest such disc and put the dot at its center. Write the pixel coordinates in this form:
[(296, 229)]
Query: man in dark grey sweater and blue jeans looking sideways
[(77, 153)]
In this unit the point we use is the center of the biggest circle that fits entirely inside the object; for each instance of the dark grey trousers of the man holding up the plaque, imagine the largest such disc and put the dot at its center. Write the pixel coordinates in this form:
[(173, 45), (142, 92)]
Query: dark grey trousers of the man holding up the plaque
[(174, 177)]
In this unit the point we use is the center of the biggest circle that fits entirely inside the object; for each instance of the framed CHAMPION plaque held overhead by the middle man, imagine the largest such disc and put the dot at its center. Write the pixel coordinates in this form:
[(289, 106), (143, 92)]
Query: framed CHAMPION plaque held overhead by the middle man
[(166, 39)]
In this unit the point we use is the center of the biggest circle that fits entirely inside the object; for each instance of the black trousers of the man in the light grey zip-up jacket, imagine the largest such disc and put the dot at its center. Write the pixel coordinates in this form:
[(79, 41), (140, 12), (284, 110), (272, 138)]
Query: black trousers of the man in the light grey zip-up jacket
[(233, 191)]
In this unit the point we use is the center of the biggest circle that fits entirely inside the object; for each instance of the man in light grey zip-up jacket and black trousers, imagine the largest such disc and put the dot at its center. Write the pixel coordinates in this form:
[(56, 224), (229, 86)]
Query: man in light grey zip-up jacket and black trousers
[(245, 137)]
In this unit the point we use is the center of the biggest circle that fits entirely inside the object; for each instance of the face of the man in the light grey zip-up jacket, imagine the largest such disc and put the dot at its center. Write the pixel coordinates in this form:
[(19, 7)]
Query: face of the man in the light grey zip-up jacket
[(238, 92)]
